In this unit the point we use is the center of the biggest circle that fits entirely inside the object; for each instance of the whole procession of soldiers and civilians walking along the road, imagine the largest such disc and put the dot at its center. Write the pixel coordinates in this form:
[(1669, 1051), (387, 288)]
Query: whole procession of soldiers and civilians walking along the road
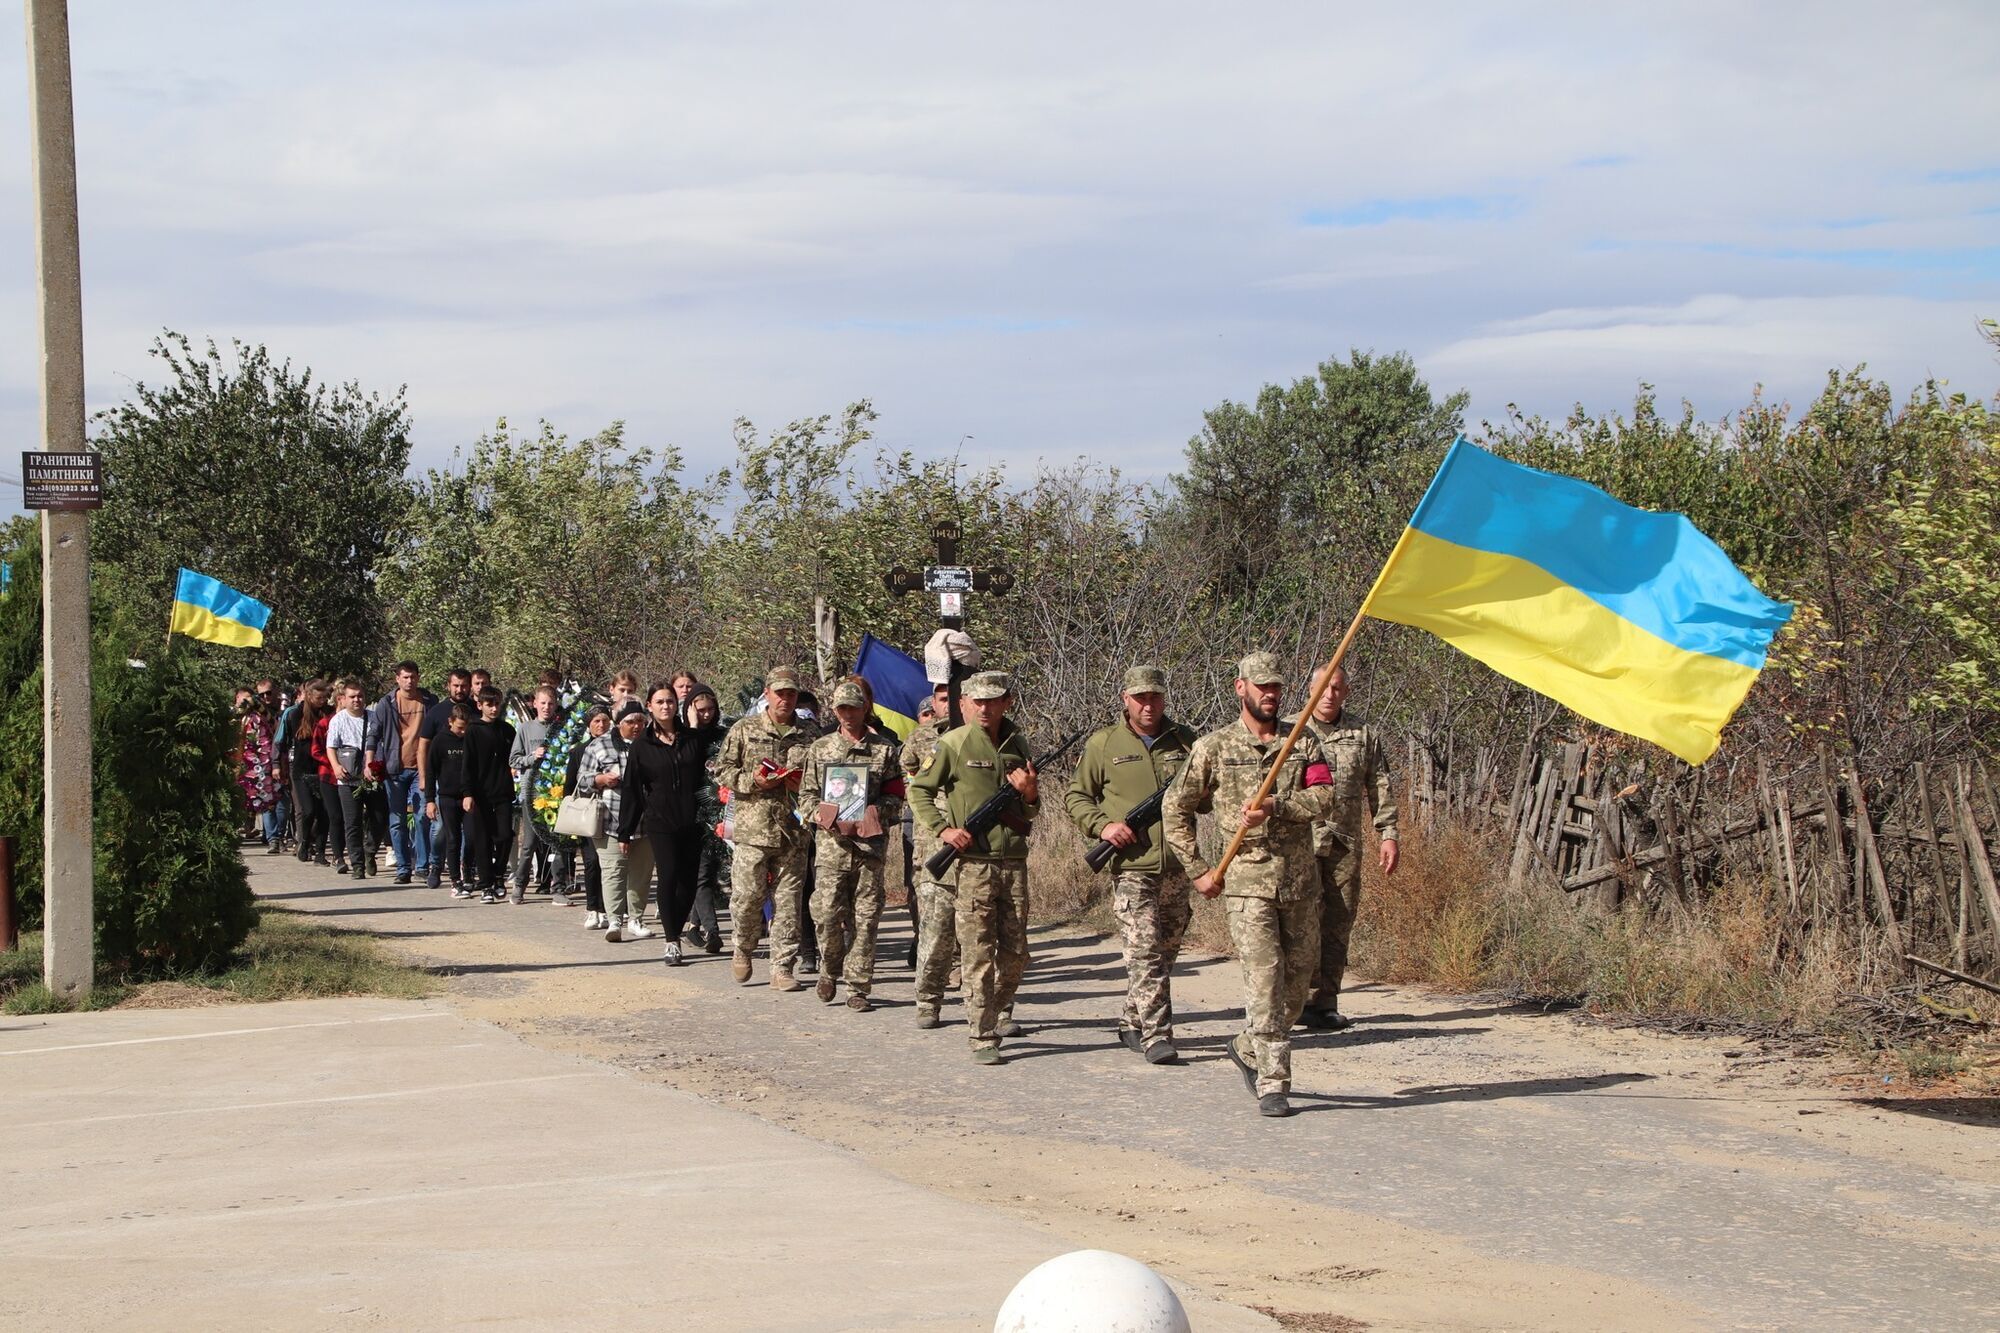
[(789, 816)]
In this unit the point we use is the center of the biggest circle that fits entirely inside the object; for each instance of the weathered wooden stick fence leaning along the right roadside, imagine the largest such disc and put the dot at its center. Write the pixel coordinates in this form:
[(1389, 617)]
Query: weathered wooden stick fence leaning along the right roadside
[(1903, 866)]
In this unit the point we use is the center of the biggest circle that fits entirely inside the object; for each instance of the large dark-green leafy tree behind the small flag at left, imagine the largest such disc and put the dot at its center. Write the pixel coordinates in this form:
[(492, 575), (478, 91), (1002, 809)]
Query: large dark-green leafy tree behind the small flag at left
[(255, 473)]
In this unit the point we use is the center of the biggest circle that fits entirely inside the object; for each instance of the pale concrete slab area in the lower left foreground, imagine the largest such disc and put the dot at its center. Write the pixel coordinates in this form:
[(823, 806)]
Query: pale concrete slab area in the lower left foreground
[(381, 1164)]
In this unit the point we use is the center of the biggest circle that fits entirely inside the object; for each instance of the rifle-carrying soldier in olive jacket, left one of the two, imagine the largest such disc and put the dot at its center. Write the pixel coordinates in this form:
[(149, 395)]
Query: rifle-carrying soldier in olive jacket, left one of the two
[(967, 770)]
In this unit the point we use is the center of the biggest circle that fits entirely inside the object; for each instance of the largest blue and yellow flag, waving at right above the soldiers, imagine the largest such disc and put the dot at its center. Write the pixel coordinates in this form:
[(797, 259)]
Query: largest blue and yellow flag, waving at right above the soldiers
[(1629, 617)]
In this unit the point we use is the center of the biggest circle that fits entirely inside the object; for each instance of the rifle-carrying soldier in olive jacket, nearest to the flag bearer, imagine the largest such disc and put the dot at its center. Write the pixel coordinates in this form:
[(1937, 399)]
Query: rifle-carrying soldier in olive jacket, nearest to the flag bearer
[(1123, 766)]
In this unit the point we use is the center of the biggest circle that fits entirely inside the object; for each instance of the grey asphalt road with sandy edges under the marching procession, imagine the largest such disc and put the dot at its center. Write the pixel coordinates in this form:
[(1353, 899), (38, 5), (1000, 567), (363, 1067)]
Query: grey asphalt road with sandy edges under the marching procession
[(1559, 1176)]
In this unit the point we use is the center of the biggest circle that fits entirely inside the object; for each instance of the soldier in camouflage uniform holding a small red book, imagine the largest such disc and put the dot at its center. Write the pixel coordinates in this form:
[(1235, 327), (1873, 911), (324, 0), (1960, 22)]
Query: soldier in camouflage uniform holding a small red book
[(763, 766)]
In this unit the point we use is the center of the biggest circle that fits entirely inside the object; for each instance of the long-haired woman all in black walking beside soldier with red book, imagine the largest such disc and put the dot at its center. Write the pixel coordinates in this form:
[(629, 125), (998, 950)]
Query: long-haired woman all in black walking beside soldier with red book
[(661, 788)]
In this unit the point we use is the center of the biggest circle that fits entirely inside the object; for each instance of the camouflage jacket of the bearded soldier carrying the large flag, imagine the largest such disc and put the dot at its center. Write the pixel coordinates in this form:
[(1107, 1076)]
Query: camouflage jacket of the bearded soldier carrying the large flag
[(1225, 770)]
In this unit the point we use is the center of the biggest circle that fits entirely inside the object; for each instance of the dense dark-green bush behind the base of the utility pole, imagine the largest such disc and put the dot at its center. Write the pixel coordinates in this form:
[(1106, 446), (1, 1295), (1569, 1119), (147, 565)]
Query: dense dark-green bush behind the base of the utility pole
[(171, 888)]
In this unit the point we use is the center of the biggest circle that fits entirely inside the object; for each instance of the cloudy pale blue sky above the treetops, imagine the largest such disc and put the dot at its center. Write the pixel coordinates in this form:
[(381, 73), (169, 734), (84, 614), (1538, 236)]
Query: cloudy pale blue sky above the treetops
[(1063, 231)]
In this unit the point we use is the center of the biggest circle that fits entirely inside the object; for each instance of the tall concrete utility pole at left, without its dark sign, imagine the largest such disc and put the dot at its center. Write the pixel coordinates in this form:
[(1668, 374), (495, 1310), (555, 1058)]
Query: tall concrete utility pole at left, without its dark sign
[(69, 944)]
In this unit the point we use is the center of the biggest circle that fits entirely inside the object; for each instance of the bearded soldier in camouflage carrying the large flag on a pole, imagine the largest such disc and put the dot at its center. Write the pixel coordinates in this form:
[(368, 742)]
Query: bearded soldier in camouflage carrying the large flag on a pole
[(1273, 890)]
